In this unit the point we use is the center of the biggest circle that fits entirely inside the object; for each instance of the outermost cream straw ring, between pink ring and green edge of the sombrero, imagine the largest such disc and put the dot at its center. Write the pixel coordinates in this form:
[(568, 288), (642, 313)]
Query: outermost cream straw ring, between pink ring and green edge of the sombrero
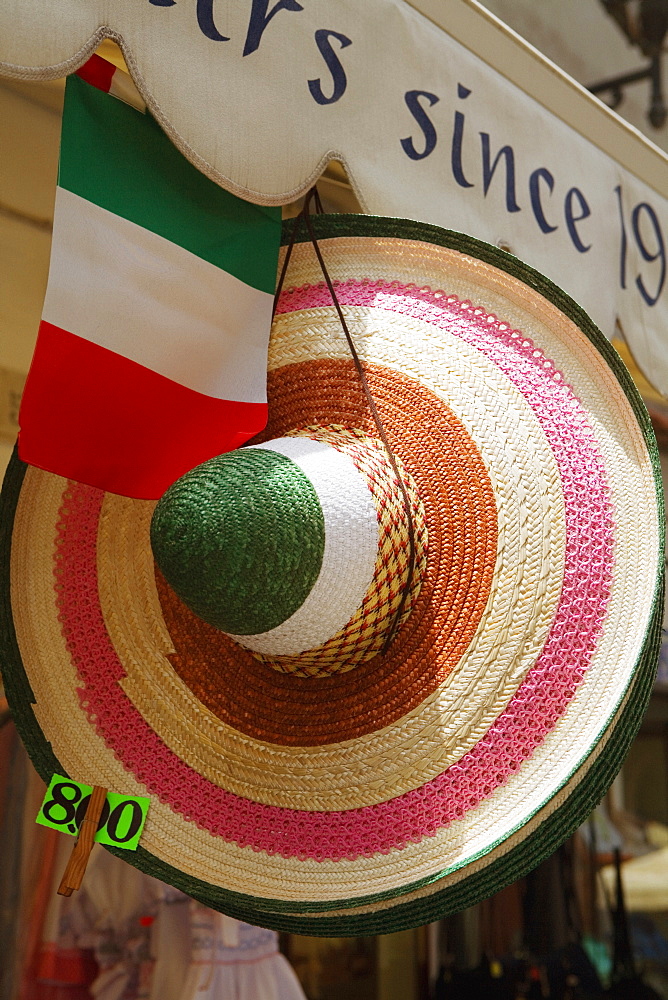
[(196, 852)]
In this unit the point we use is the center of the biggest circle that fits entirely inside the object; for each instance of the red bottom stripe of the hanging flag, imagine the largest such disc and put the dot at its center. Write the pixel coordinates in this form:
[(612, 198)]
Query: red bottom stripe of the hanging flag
[(154, 431)]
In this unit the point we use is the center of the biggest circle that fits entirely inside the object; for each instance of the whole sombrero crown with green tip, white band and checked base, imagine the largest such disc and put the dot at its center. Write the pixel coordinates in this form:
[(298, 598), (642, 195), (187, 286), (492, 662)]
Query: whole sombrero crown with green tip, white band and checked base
[(281, 545)]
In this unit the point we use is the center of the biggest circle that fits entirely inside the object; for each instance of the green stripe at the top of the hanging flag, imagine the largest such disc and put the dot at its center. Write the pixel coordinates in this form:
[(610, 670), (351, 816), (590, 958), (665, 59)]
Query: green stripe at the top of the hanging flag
[(120, 159)]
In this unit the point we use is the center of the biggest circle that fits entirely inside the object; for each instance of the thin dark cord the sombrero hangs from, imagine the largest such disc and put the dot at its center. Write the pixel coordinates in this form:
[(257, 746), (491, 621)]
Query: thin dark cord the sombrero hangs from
[(306, 217)]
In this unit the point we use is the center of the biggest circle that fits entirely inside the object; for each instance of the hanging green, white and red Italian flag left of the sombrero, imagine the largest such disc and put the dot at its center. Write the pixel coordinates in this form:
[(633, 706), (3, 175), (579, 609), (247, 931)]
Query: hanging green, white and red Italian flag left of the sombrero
[(152, 351)]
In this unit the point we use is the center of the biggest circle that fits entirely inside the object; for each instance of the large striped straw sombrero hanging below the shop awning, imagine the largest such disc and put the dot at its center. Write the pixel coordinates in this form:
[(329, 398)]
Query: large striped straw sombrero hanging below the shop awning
[(370, 694)]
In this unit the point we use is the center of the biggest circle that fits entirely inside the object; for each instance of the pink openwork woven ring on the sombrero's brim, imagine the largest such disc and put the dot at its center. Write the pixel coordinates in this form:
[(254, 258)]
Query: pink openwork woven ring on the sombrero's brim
[(533, 712)]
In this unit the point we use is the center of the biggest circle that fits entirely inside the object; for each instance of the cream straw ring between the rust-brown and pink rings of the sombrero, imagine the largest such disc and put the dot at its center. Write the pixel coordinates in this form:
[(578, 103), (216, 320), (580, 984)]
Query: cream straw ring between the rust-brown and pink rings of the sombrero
[(451, 720)]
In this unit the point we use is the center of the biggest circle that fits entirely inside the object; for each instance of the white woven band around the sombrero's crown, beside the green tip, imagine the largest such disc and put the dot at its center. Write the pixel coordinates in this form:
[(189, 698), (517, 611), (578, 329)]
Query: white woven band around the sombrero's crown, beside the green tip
[(349, 557)]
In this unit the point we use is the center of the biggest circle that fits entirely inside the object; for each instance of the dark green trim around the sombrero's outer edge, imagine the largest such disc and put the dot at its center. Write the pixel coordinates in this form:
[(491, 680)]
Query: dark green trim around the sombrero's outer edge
[(517, 862)]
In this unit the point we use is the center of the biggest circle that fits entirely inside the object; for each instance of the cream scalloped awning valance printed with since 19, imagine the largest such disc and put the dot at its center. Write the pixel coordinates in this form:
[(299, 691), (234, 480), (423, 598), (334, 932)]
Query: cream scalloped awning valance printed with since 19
[(261, 94)]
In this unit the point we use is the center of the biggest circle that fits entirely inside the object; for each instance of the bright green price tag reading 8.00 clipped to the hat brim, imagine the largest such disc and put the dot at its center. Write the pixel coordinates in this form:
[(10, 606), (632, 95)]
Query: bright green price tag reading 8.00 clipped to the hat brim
[(121, 822)]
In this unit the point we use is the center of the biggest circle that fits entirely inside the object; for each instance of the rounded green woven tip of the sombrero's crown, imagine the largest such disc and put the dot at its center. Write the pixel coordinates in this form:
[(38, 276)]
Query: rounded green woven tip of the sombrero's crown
[(240, 538)]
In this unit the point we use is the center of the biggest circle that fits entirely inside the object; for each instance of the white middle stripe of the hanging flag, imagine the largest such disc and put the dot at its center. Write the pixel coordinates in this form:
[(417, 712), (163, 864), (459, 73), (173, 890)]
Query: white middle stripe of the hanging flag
[(149, 300)]
